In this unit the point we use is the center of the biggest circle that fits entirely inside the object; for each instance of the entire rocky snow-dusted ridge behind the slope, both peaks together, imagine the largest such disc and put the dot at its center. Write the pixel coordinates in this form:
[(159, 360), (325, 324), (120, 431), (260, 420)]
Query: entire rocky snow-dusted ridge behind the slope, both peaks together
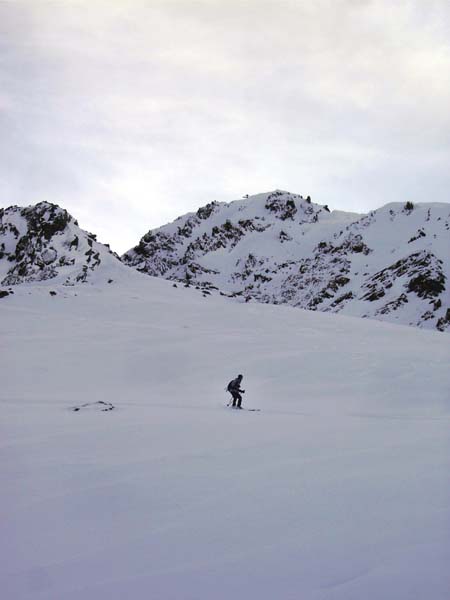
[(392, 264)]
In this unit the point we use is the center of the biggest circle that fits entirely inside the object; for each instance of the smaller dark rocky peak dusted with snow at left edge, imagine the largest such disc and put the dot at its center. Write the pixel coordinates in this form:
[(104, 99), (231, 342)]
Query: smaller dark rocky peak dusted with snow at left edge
[(44, 242)]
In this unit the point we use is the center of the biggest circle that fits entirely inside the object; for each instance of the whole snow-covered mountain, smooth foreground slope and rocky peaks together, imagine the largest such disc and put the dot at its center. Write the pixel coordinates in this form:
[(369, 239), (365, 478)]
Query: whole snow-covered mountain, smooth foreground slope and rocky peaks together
[(124, 474)]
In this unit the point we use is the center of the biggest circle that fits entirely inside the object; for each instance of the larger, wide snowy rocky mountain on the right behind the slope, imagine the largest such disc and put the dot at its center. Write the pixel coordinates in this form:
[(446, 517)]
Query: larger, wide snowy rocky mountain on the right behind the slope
[(392, 264)]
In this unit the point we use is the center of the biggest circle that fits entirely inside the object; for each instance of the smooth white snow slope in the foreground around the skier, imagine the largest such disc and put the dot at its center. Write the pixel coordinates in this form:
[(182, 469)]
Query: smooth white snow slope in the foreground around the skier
[(337, 490)]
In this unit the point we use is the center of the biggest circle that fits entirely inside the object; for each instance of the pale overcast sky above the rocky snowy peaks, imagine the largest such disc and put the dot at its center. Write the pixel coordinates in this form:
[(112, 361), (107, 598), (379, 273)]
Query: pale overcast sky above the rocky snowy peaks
[(129, 113)]
